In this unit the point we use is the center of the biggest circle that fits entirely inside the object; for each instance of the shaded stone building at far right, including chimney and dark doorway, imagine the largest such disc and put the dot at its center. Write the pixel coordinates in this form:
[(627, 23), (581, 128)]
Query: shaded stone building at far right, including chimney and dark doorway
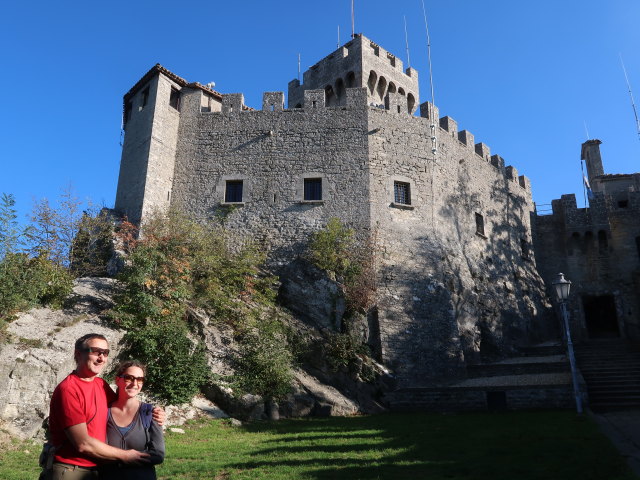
[(598, 248)]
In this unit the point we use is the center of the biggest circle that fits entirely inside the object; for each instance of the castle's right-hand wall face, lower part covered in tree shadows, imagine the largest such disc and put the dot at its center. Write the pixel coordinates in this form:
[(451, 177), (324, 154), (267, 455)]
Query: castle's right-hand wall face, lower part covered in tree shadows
[(450, 295)]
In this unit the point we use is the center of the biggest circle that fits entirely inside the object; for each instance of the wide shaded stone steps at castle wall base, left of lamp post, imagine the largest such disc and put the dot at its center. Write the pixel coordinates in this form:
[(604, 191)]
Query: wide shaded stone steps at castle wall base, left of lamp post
[(539, 378)]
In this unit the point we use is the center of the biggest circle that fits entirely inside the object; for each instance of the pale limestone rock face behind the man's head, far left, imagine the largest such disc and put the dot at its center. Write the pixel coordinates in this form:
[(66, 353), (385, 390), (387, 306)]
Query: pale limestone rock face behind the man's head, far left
[(40, 354)]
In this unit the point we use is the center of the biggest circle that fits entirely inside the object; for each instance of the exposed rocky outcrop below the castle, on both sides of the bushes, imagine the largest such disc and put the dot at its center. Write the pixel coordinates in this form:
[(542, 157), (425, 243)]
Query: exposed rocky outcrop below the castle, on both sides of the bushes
[(39, 354)]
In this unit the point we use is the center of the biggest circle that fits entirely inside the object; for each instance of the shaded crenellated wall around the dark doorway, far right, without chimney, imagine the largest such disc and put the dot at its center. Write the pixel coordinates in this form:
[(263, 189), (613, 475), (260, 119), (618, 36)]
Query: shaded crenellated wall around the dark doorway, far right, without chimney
[(598, 251)]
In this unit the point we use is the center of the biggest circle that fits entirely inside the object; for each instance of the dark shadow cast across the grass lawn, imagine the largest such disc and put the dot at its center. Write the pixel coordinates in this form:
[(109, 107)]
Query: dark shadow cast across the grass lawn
[(414, 446)]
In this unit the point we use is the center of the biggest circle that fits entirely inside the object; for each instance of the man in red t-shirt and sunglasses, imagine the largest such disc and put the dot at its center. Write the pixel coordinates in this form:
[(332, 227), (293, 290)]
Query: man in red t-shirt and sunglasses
[(78, 416)]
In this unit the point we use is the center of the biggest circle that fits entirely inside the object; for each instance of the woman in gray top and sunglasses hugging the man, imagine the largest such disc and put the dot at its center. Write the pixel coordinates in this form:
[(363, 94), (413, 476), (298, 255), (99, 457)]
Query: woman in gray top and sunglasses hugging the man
[(130, 425)]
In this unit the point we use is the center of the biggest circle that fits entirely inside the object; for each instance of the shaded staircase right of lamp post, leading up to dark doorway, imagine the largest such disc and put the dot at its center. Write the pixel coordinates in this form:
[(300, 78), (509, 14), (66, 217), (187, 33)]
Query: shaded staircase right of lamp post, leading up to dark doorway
[(611, 369)]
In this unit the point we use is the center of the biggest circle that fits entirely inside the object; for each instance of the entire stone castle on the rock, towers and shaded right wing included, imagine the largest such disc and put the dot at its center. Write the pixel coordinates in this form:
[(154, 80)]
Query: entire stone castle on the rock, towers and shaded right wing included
[(461, 253)]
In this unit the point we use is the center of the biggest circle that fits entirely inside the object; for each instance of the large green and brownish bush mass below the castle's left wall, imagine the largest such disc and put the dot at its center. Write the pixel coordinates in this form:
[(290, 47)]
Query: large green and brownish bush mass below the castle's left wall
[(175, 264)]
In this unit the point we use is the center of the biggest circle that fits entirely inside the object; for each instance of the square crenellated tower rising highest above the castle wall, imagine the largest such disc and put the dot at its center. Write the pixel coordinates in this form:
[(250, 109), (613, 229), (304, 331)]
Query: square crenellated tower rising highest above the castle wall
[(360, 63)]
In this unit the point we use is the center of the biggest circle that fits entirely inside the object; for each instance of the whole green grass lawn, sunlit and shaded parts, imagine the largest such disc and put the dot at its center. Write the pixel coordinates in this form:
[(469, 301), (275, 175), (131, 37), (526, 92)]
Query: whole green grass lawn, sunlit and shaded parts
[(522, 446)]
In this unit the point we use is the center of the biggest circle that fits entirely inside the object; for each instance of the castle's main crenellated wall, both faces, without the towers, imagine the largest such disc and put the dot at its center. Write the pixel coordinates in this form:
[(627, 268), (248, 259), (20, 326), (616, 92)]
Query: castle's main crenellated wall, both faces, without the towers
[(448, 295)]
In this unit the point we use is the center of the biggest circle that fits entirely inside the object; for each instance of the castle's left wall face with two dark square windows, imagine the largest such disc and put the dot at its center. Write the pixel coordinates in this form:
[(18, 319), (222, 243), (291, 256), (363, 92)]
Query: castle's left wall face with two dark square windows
[(272, 152)]
